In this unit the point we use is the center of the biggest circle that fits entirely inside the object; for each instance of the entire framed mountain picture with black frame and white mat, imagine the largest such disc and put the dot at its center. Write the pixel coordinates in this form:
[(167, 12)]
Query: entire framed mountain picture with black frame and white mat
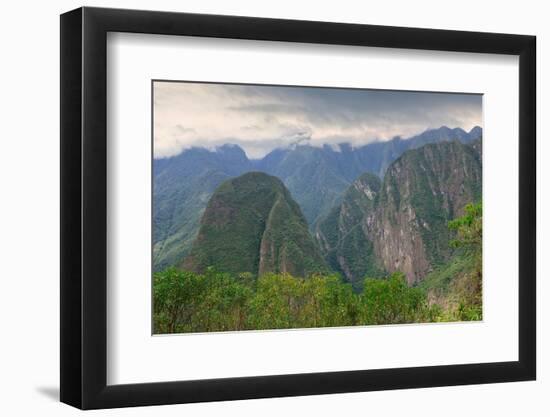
[(256, 208)]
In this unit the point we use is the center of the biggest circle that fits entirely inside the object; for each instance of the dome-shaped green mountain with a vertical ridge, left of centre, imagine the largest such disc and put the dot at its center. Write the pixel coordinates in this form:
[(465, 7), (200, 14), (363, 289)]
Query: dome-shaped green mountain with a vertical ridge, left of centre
[(252, 224)]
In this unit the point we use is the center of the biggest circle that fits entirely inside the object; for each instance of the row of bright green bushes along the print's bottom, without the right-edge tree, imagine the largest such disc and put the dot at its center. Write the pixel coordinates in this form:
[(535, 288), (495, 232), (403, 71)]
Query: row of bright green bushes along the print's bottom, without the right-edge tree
[(189, 302)]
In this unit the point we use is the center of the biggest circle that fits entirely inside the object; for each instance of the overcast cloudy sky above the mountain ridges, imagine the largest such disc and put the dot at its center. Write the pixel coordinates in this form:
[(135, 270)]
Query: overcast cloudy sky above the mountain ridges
[(262, 118)]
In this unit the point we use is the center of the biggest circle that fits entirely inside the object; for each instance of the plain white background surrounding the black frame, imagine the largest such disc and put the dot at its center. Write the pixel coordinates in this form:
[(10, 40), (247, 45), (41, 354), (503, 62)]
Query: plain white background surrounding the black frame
[(29, 225)]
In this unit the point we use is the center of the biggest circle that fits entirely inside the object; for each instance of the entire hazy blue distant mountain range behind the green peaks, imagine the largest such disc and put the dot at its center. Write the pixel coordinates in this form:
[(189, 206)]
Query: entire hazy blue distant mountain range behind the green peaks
[(316, 177)]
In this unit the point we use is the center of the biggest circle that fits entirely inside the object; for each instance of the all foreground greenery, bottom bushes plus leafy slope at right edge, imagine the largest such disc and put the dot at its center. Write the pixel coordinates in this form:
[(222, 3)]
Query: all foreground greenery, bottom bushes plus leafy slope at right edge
[(215, 301)]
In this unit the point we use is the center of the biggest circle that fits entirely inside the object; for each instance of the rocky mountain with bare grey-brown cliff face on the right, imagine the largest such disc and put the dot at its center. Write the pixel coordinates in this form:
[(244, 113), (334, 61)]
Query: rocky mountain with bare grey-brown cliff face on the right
[(402, 224)]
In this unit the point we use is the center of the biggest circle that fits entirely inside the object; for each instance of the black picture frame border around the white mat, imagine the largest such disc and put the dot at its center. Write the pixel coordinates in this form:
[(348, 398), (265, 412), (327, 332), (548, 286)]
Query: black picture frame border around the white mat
[(84, 207)]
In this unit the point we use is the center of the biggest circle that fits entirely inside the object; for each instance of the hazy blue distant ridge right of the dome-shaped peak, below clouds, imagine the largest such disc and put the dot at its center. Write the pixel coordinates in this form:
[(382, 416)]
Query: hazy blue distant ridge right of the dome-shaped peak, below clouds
[(318, 176)]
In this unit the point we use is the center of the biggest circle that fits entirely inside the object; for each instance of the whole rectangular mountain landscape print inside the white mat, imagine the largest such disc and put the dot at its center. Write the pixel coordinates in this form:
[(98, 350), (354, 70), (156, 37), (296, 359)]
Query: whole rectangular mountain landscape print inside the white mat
[(289, 207)]
